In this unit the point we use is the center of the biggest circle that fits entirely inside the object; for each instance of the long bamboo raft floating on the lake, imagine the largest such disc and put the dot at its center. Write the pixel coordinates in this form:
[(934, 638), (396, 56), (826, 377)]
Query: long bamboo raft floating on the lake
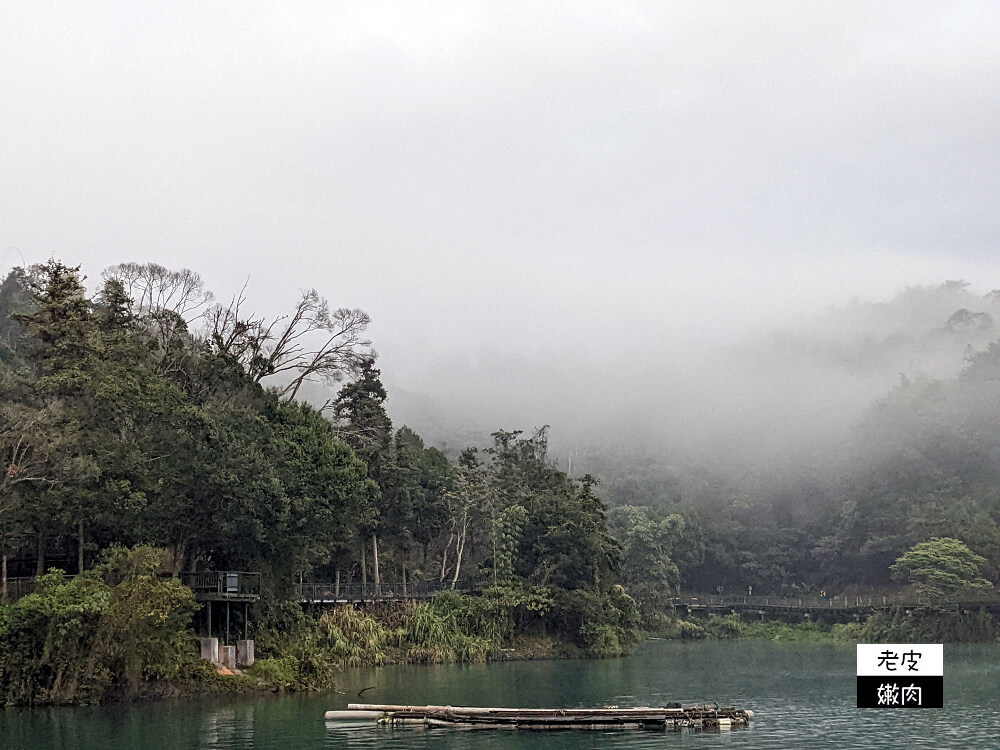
[(674, 716)]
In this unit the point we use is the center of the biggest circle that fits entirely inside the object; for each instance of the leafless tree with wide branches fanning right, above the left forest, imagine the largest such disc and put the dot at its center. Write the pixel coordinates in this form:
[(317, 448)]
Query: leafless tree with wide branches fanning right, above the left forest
[(313, 343)]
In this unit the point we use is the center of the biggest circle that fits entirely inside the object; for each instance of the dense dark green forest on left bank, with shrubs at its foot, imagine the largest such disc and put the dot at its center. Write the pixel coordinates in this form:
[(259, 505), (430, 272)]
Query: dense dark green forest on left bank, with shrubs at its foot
[(148, 415)]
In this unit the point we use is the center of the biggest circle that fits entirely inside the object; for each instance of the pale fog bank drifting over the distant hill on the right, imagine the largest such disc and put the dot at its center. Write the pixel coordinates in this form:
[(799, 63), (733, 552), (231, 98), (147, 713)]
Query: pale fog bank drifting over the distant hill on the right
[(784, 394)]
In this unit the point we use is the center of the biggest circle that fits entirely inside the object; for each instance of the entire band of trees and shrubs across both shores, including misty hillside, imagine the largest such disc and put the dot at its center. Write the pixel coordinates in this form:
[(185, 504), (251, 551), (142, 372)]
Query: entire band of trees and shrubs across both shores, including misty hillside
[(147, 430)]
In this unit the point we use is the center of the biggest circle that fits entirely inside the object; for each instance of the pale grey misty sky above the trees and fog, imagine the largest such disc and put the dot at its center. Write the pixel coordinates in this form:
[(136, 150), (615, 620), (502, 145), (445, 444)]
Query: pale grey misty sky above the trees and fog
[(522, 195)]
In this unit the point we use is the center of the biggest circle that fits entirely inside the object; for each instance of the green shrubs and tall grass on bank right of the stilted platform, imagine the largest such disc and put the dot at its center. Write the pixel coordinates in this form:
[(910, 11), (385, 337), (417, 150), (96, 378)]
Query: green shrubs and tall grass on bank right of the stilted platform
[(453, 627)]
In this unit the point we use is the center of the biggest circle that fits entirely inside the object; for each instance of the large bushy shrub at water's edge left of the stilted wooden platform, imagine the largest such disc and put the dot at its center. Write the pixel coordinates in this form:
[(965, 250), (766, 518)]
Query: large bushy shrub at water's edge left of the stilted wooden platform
[(101, 634)]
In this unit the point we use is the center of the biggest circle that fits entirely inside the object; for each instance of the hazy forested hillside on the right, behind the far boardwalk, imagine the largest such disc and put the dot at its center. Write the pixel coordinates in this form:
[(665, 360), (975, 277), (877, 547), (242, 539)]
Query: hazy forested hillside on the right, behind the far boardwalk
[(906, 504)]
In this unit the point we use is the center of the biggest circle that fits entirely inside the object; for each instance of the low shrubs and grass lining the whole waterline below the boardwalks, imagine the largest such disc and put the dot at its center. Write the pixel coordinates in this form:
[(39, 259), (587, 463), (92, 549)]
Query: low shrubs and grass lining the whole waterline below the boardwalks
[(122, 632)]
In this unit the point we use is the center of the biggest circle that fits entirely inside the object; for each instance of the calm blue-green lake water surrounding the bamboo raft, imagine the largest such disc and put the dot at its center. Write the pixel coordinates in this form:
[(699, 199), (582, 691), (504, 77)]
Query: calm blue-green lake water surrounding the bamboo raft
[(803, 695)]
